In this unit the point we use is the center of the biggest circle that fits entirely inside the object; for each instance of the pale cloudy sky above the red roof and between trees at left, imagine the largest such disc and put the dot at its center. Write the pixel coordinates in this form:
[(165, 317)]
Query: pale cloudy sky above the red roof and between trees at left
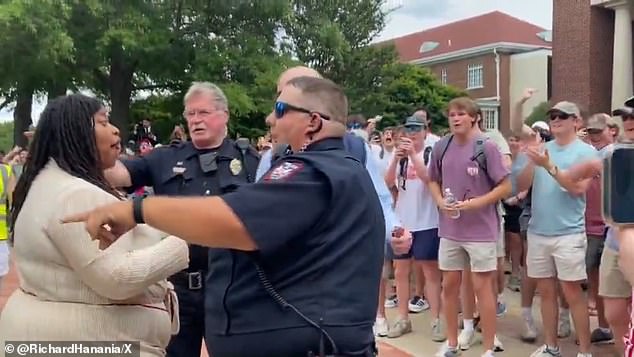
[(416, 15)]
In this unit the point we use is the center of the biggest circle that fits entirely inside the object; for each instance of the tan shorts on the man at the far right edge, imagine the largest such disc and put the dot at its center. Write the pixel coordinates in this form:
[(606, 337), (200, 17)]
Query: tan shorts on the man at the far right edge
[(612, 283)]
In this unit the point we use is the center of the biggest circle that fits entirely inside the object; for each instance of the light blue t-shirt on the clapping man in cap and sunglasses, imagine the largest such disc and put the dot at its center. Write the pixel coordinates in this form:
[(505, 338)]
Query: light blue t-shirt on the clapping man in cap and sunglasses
[(555, 212)]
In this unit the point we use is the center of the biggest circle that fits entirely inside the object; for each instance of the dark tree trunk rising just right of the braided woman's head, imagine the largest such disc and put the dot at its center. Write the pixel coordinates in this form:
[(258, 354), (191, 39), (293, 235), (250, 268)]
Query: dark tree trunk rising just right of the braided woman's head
[(120, 86)]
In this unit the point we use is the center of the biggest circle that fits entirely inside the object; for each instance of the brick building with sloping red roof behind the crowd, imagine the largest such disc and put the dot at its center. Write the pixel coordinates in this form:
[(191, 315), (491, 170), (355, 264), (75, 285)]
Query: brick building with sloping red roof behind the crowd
[(475, 54)]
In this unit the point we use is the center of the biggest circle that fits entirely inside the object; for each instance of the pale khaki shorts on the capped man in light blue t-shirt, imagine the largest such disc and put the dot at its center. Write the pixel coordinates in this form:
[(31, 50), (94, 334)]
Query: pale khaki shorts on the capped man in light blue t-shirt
[(563, 257)]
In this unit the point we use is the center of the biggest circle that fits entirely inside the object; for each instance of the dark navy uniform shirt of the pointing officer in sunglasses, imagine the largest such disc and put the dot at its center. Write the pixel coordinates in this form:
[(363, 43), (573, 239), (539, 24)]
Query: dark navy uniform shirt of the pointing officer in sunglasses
[(320, 233)]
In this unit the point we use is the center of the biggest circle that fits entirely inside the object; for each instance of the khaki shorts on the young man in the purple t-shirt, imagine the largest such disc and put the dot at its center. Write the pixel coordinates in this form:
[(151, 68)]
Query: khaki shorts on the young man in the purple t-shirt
[(455, 256)]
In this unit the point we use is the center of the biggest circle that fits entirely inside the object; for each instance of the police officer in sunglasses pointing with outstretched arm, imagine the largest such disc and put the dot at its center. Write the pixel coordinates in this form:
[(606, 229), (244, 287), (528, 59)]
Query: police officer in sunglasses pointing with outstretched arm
[(306, 241)]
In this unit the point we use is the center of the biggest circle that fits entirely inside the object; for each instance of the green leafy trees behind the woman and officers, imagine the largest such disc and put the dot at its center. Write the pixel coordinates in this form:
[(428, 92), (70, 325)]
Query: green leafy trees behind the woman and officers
[(140, 56)]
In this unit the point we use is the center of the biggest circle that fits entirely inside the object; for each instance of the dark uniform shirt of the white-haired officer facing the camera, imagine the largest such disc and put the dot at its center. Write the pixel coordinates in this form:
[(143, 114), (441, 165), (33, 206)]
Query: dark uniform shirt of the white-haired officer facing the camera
[(176, 170)]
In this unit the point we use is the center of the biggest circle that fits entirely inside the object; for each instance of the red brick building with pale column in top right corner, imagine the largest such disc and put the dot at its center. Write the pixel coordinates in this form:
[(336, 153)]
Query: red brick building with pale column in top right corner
[(592, 53)]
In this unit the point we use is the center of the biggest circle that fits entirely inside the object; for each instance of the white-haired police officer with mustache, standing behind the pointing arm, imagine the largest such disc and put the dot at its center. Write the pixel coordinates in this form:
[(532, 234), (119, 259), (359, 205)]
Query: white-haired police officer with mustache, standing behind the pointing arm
[(210, 164)]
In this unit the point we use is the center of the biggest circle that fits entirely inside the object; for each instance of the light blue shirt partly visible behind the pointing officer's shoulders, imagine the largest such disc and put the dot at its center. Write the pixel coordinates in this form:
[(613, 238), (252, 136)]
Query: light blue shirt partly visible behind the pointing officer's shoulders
[(377, 179)]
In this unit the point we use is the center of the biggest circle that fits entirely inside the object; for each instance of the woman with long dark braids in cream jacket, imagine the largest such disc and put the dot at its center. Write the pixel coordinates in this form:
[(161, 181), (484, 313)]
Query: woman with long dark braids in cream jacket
[(73, 287)]
